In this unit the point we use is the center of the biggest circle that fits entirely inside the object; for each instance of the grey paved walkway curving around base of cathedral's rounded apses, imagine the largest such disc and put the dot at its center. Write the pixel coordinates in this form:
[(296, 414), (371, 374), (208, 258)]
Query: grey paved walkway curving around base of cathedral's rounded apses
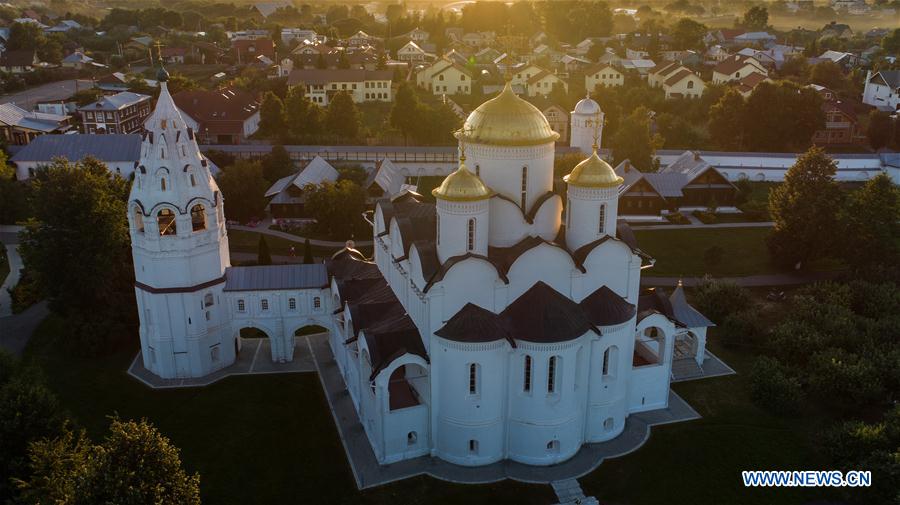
[(368, 473)]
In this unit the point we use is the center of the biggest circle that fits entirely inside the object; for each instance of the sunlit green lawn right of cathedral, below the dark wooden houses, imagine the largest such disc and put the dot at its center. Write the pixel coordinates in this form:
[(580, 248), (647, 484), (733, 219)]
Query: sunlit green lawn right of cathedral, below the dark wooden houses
[(680, 252)]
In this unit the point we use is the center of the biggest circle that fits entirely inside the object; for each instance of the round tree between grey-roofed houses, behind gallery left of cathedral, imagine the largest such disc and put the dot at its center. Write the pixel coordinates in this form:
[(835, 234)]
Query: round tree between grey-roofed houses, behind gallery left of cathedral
[(337, 208)]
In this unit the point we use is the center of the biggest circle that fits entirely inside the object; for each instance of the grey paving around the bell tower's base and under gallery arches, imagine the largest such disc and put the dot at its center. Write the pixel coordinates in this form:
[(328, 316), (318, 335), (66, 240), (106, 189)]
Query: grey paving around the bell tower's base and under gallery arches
[(255, 358)]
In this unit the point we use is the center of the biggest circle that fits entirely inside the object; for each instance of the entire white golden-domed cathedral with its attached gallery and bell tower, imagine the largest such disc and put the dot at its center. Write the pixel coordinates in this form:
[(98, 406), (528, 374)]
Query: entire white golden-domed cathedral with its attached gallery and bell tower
[(504, 321)]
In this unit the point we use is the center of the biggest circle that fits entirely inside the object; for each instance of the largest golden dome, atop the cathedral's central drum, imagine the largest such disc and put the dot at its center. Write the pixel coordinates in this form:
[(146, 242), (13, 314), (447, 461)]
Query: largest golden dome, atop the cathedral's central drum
[(507, 120)]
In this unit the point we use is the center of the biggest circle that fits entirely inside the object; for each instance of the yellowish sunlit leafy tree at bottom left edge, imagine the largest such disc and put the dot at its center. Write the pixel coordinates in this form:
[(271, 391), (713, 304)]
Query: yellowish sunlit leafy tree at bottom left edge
[(135, 463)]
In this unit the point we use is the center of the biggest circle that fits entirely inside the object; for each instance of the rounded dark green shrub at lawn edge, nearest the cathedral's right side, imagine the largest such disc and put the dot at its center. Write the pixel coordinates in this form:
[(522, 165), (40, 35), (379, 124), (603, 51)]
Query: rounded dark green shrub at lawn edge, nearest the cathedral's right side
[(773, 389)]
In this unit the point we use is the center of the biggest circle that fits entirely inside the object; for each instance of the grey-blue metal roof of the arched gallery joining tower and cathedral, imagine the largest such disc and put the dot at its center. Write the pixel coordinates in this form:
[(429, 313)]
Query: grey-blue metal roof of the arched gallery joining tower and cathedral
[(276, 277)]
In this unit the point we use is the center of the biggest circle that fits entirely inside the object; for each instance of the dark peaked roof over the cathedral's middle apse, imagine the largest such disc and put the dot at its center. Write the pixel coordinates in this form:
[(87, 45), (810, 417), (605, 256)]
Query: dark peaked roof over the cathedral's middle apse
[(545, 315)]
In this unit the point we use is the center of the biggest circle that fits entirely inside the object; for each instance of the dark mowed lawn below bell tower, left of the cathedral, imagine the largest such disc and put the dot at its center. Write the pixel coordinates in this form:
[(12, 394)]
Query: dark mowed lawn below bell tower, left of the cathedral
[(257, 439)]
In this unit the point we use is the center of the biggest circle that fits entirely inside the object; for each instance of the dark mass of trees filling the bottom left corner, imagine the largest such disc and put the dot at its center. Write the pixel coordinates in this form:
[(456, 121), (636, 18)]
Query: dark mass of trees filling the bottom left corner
[(45, 459)]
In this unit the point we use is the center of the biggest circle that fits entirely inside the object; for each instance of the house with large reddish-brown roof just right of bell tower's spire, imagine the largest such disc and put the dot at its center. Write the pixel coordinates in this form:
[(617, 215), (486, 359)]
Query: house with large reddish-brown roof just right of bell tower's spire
[(223, 116)]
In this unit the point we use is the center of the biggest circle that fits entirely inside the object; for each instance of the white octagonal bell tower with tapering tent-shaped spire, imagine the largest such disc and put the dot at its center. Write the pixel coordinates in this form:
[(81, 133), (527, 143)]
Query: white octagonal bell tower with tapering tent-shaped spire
[(180, 250)]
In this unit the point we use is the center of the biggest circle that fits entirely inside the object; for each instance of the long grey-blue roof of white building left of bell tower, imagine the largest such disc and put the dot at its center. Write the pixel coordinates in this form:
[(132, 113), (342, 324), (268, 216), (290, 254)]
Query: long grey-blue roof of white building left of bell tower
[(107, 148)]
